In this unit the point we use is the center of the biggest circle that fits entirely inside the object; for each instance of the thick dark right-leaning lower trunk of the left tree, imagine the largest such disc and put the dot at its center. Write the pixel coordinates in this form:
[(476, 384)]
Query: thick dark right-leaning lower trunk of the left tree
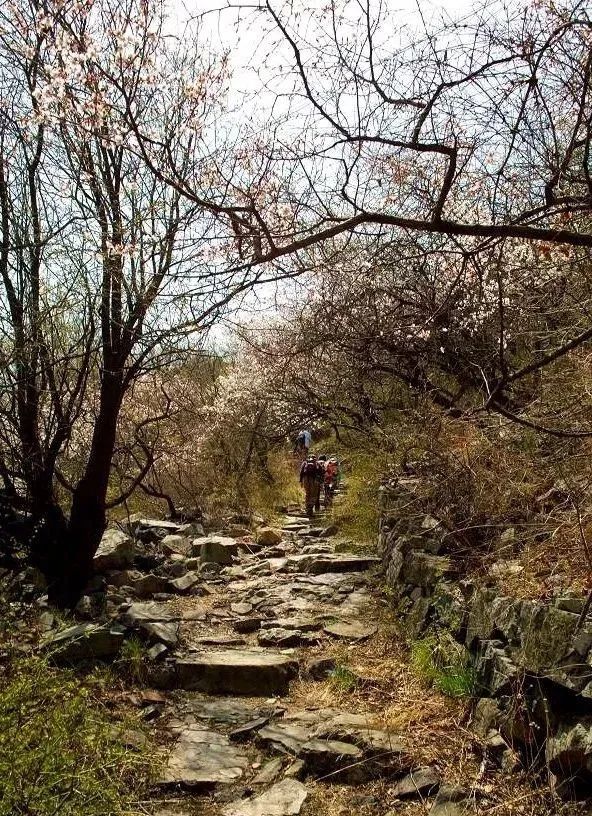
[(87, 515)]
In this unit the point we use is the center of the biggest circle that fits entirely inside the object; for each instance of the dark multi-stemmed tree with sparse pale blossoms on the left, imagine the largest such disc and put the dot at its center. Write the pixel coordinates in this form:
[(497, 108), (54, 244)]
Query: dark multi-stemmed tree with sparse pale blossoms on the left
[(108, 271)]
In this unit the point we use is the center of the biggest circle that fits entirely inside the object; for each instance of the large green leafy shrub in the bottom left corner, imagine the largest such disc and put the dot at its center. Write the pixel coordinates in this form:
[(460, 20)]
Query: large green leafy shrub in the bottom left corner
[(60, 755)]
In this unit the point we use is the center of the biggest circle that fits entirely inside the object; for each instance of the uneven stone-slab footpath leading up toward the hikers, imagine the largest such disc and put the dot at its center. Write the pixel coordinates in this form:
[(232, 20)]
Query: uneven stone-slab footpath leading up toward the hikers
[(236, 739)]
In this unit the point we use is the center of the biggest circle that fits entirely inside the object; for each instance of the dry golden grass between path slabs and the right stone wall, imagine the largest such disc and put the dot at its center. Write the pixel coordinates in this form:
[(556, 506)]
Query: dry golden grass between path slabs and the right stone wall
[(434, 728)]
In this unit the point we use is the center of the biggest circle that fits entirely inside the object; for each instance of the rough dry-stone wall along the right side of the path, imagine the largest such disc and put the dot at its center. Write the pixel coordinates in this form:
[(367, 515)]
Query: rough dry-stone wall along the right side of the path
[(532, 659)]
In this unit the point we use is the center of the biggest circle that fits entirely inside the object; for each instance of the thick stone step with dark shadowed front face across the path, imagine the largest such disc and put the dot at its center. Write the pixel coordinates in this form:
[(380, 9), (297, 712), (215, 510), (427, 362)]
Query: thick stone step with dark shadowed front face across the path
[(247, 672)]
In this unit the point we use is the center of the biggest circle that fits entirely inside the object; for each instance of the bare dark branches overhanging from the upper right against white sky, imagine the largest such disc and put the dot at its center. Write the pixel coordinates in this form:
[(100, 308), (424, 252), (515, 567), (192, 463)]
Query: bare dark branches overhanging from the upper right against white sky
[(463, 141)]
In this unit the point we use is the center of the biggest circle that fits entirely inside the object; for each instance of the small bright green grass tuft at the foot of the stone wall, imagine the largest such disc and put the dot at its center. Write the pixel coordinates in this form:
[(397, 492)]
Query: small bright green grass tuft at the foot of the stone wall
[(442, 662)]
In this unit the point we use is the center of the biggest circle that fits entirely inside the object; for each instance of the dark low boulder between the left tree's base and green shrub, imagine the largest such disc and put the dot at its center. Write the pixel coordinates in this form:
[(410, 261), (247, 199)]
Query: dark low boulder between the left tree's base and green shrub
[(86, 641)]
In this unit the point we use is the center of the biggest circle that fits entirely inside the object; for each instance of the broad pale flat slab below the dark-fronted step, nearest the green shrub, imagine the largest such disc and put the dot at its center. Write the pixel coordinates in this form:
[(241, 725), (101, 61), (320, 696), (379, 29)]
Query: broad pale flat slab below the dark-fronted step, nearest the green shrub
[(203, 759)]
